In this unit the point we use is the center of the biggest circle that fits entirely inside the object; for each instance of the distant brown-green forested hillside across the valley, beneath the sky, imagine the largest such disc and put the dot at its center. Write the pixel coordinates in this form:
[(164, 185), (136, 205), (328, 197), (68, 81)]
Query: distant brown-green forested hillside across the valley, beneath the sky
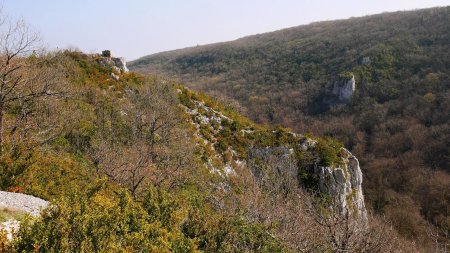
[(397, 121)]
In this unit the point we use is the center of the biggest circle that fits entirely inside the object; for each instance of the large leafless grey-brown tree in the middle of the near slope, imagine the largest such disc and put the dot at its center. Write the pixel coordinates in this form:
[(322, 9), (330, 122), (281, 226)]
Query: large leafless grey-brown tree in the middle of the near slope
[(142, 138)]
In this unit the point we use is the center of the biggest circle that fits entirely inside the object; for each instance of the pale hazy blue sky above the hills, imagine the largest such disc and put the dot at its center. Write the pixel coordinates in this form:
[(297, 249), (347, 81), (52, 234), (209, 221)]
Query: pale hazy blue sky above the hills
[(135, 28)]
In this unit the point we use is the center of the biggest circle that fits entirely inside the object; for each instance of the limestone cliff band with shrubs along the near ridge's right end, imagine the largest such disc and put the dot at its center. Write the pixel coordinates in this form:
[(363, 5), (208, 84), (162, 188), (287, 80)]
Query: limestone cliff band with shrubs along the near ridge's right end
[(275, 156)]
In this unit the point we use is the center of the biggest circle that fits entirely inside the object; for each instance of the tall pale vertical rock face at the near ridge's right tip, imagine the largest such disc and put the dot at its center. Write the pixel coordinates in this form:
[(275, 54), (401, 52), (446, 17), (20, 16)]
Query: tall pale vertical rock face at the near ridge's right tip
[(345, 184)]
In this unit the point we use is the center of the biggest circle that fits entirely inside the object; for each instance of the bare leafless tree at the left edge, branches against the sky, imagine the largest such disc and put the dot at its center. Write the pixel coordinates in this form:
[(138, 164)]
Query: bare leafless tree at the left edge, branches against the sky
[(24, 73)]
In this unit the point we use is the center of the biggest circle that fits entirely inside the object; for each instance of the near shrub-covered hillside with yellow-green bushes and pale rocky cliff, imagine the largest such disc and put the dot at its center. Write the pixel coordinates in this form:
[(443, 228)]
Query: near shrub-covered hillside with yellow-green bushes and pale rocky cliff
[(135, 163)]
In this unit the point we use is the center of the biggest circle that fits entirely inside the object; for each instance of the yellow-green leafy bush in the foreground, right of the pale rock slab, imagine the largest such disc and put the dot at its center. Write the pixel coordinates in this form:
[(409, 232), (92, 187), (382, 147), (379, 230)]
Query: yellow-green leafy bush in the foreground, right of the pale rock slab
[(92, 221)]
